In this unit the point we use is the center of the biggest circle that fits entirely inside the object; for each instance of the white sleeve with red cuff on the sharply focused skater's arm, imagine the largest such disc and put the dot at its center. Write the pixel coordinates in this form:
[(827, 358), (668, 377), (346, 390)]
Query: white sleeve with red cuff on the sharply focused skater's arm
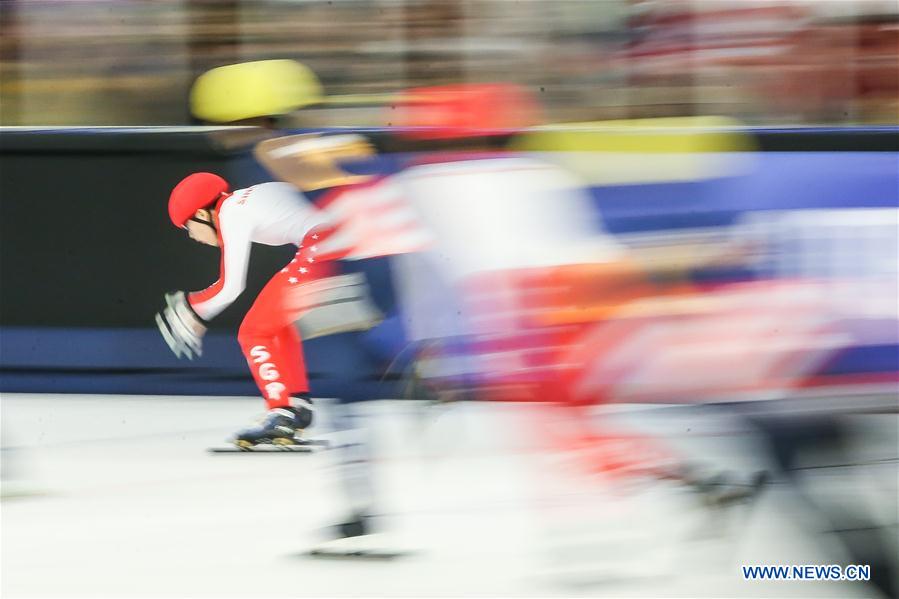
[(235, 244)]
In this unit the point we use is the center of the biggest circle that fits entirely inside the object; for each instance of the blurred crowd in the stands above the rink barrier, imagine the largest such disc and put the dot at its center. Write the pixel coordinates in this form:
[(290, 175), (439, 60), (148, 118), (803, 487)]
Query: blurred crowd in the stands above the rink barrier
[(766, 62)]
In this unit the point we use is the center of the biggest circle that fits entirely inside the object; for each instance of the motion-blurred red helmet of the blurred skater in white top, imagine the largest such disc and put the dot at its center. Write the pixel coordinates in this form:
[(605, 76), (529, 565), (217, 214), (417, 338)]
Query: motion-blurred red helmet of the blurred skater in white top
[(467, 109)]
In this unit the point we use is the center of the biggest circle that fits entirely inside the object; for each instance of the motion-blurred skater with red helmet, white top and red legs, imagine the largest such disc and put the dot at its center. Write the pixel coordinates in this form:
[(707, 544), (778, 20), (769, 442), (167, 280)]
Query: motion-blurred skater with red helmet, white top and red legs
[(506, 301)]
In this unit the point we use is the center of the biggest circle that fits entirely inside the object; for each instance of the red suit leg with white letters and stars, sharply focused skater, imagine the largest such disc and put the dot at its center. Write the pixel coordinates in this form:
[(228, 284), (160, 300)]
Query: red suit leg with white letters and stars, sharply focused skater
[(267, 336)]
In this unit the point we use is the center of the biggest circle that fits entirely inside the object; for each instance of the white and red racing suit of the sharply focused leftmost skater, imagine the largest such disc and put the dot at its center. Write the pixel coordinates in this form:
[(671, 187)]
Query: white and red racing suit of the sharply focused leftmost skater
[(358, 221)]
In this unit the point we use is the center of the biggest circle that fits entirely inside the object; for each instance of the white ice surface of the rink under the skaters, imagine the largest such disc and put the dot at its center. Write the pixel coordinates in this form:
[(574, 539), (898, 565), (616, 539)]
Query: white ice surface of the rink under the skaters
[(127, 503)]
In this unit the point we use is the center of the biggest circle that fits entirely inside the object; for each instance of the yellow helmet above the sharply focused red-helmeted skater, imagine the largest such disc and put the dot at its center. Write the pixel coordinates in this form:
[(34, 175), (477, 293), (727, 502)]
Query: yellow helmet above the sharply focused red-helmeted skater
[(253, 89)]
